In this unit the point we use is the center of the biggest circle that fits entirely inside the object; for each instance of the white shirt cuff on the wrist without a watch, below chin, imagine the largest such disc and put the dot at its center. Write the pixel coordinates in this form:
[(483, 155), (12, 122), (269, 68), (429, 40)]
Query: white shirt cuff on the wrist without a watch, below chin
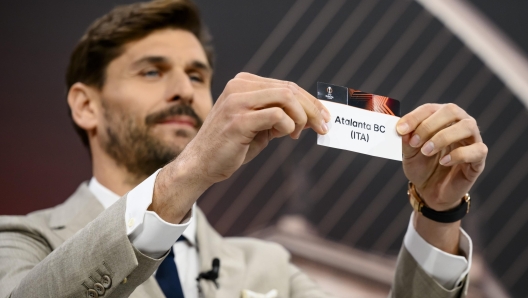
[(148, 232)]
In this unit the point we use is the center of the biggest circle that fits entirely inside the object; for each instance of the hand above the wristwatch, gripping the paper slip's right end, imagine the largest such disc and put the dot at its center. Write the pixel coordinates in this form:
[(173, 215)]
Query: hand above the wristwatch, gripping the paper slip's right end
[(443, 153)]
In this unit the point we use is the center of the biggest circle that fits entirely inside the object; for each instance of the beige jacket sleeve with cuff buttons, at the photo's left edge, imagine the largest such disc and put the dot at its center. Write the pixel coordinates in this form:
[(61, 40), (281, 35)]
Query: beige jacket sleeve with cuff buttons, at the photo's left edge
[(98, 255)]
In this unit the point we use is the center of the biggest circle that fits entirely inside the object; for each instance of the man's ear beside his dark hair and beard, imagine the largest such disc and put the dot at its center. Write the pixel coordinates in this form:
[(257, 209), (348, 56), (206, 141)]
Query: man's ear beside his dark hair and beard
[(82, 100)]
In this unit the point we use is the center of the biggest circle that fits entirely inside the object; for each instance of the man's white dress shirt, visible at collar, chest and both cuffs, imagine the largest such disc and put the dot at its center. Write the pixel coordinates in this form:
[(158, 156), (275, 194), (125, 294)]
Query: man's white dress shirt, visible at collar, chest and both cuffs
[(153, 236)]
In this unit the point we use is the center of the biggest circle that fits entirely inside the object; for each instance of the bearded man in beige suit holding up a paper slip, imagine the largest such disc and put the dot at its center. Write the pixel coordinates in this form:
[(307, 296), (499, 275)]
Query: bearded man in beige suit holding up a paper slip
[(139, 93)]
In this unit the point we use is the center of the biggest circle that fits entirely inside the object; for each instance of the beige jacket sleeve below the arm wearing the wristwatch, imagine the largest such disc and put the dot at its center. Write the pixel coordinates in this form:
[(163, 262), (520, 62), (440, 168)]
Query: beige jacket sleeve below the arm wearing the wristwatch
[(411, 281)]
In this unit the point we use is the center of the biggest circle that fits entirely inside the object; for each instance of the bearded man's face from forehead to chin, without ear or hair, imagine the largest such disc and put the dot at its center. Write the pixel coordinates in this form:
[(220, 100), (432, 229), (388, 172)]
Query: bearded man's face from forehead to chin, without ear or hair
[(155, 97)]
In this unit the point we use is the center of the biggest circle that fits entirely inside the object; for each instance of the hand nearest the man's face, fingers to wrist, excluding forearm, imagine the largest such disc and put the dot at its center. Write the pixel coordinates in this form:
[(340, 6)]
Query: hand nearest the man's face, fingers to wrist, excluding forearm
[(250, 112)]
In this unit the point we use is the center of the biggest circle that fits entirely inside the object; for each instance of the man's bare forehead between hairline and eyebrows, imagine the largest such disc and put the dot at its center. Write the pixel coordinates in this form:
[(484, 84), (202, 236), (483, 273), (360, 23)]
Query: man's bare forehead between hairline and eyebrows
[(179, 46)]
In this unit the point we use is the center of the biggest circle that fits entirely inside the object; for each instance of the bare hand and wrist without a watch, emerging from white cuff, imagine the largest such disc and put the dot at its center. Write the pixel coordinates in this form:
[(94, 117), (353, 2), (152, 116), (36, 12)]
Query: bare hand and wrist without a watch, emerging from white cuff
[(250, 112)]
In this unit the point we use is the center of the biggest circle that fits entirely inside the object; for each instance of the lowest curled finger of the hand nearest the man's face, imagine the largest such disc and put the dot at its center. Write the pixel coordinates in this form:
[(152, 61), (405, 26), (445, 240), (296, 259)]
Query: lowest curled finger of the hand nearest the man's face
[(274, 119)]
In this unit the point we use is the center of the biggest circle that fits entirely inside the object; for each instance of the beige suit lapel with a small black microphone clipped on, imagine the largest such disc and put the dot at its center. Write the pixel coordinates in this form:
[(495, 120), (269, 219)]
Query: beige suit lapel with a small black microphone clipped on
[(232, 264)]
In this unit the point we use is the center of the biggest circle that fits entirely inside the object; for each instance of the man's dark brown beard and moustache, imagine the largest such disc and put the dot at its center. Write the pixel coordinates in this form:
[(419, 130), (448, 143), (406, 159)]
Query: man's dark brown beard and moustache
[(135, 147)]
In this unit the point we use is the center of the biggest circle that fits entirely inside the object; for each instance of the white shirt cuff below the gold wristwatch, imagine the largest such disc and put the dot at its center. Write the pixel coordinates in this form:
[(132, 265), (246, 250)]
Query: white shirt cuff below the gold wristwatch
[(447, 269)]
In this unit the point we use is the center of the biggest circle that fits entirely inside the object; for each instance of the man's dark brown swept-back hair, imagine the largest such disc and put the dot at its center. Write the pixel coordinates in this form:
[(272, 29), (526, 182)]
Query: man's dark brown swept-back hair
[(105, 38)]
